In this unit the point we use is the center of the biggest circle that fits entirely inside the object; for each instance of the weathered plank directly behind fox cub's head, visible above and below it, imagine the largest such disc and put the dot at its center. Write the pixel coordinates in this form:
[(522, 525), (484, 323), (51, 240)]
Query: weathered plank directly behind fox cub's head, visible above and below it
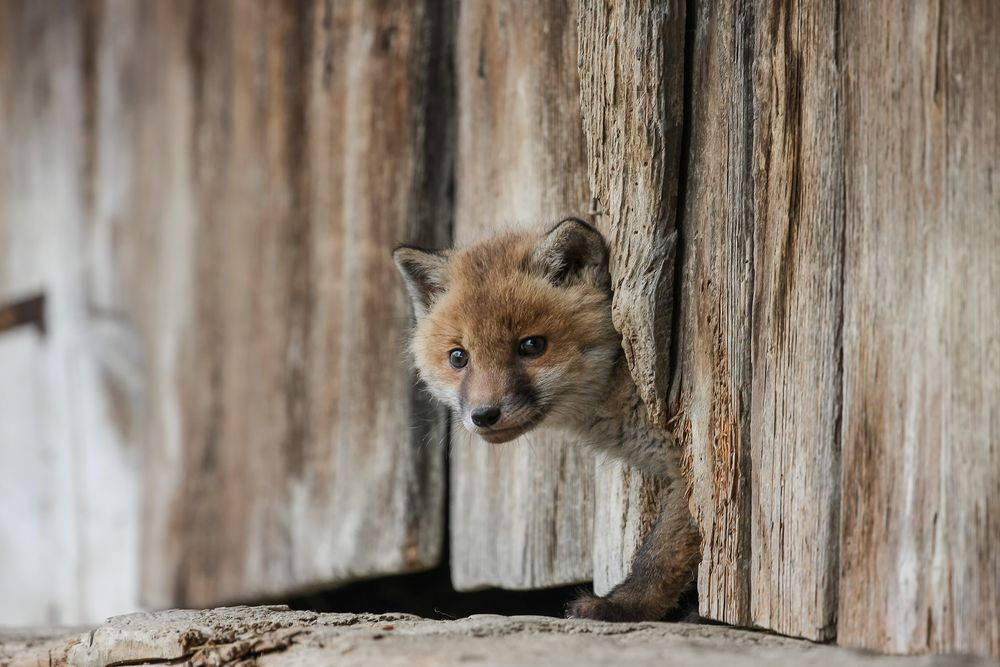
[(521, 514)]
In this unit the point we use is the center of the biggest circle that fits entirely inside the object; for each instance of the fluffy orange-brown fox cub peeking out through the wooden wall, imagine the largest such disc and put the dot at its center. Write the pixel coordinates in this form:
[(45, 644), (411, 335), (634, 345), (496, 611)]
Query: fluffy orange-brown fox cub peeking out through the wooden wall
[(515, 333)]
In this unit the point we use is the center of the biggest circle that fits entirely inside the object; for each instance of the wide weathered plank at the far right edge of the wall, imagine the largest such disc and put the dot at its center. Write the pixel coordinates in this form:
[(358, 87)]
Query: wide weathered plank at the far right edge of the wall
[(921, 429)]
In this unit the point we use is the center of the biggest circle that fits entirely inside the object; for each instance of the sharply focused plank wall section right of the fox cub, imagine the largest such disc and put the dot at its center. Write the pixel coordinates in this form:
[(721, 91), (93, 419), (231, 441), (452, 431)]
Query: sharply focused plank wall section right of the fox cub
[(838, 251)]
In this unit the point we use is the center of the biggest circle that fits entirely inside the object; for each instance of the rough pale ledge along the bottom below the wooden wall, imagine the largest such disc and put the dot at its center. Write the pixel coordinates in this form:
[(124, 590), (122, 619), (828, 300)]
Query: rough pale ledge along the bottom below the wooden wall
[(276, 636)]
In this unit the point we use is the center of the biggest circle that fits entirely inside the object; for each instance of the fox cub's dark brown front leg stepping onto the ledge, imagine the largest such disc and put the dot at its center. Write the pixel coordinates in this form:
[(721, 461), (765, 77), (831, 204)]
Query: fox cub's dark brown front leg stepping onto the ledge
[(662, 569)]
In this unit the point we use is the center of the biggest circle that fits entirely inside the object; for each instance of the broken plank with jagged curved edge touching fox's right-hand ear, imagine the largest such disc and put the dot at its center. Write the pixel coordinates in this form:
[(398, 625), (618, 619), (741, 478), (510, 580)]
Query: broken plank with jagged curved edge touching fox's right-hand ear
[(631, 61)]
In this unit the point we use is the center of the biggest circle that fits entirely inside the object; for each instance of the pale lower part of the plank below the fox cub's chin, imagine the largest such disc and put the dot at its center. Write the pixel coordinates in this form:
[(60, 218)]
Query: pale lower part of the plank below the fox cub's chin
[(522, 513)]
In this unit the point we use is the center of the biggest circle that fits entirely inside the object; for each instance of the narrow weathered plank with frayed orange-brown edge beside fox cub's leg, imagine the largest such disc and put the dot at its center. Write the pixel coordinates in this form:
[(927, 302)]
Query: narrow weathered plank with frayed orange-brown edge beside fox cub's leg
[(716, 237)]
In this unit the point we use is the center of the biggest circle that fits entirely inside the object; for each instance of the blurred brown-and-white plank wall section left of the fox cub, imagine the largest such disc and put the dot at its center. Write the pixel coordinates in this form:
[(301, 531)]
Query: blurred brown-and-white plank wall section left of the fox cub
[(209, 192)]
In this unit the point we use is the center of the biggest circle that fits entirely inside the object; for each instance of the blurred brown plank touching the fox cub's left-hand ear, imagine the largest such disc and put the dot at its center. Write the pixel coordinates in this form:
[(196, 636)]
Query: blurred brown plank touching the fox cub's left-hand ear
[(381, 159)]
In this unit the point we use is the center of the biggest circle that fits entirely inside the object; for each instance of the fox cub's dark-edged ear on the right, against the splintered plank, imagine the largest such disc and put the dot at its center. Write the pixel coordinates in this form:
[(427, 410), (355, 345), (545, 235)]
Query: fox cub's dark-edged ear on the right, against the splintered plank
[(573, 252)]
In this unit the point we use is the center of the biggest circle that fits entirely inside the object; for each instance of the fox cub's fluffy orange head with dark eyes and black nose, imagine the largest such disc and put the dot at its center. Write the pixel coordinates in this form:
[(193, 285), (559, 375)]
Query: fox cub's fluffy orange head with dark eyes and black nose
[(516, 329)]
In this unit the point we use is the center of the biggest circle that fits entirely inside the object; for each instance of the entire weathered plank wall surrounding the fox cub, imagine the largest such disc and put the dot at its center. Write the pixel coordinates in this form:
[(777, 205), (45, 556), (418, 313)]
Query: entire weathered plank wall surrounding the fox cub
[(801, 200)]
